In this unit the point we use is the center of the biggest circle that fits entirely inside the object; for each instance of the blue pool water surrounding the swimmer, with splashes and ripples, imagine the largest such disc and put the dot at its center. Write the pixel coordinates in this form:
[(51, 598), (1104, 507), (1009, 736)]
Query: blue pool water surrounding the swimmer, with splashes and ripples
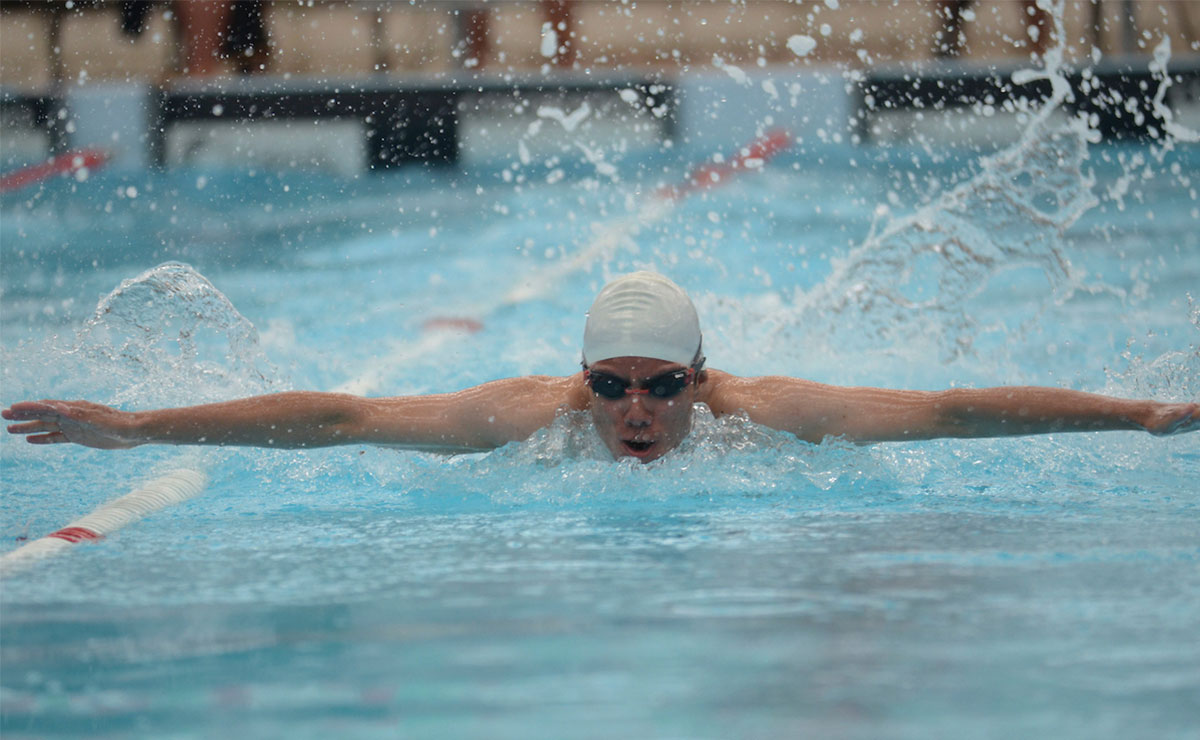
[(748, 586)]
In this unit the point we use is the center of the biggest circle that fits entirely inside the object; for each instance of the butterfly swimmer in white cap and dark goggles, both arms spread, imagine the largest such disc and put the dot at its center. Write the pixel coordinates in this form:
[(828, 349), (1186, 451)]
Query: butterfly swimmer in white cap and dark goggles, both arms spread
[(644, 374)]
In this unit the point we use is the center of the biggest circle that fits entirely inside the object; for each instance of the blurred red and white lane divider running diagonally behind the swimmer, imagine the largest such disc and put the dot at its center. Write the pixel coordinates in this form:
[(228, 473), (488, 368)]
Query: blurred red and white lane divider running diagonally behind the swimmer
[(616, 236)]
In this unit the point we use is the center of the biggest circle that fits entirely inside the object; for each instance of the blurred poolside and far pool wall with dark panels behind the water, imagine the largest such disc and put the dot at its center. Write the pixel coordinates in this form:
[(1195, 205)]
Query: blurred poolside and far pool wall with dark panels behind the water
[(137, 83)]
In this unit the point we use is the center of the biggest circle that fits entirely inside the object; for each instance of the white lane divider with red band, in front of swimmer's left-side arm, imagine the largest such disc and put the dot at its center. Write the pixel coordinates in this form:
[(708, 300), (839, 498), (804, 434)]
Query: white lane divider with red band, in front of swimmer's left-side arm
[(165, 491)]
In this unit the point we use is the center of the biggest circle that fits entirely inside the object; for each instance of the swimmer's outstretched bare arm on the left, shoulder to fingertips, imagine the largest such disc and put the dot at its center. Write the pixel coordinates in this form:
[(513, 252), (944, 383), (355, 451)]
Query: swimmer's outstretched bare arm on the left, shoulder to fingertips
[(482, 418)]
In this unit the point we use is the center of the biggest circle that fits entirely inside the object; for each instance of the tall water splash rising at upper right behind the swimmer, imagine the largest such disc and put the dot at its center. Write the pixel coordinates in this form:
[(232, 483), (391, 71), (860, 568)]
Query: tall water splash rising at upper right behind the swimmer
[(914, 280)]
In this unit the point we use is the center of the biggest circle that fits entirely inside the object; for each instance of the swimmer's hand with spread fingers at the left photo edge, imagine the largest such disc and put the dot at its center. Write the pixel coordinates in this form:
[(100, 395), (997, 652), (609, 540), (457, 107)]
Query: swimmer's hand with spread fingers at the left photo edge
[(93, 425)]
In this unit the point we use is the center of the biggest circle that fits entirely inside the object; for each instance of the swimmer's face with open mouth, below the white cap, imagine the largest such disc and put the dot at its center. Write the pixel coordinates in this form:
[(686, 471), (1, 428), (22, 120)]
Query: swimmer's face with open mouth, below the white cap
[(643, 425)]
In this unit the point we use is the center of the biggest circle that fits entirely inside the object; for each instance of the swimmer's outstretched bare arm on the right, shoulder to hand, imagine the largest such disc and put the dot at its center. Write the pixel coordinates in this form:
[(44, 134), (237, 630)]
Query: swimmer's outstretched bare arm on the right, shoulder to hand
[(814, 411)]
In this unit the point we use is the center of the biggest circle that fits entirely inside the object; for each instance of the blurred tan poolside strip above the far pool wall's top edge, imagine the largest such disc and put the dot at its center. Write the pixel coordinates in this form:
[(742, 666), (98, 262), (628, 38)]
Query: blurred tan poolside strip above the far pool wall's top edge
[(80, 41)]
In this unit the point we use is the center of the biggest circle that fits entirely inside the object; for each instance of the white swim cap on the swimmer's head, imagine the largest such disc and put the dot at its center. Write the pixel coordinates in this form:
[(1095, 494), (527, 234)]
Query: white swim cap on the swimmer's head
[(643, 316)]
